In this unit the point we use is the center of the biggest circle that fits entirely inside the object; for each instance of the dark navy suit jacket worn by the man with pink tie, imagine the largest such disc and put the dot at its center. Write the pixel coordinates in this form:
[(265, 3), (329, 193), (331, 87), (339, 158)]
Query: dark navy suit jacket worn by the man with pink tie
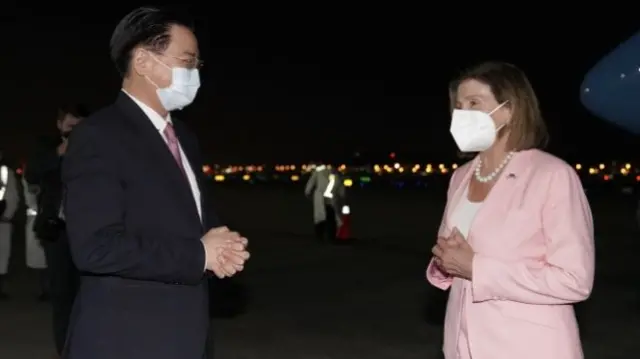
[(134, 233)]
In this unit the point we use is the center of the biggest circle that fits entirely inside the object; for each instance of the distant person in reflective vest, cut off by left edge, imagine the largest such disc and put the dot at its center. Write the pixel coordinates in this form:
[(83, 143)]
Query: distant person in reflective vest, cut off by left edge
[(9, 201)]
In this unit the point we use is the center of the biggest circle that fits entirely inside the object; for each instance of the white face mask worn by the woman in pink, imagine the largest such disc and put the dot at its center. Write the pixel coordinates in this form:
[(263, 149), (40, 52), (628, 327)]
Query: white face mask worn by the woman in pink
[(474, 131)]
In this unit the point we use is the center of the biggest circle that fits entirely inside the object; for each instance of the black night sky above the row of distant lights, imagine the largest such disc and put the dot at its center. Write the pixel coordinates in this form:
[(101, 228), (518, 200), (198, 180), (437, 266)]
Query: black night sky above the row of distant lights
[(298, 85)]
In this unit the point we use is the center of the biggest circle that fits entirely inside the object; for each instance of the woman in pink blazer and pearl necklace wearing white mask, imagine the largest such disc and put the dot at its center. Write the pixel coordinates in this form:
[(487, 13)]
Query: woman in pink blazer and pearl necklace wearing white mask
[(515, 246)]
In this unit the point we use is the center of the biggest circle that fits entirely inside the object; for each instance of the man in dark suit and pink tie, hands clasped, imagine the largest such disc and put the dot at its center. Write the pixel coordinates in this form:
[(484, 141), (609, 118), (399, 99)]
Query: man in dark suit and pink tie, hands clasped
[(141, 228)]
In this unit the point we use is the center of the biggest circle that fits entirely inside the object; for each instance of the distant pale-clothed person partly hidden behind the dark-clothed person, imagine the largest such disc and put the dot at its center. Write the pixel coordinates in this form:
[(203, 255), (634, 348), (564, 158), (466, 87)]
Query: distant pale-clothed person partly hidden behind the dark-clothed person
[(34, 251)]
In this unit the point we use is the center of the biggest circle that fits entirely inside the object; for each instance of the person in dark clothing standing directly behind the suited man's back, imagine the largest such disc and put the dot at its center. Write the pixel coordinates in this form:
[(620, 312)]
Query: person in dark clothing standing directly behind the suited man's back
[(43, 170)]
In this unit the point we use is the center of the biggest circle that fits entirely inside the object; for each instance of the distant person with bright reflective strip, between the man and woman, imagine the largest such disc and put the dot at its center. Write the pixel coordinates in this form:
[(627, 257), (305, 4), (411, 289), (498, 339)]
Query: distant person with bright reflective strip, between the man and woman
[(326, 189)]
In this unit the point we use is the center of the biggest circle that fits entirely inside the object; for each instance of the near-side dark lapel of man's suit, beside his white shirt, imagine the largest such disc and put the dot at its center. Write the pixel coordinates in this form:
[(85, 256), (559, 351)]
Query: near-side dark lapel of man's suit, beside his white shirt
[(159, 153)]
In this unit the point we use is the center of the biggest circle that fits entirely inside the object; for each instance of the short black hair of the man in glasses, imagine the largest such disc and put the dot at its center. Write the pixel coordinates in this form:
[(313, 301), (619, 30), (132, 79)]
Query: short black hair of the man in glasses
[(144, 26)]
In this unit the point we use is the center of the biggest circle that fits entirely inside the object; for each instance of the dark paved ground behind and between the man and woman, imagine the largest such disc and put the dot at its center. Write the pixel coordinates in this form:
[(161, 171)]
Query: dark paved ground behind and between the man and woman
[(369, 300)]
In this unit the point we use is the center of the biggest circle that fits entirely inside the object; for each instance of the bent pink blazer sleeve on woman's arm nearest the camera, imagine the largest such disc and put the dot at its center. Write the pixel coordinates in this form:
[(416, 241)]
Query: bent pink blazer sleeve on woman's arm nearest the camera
[(566, 274)]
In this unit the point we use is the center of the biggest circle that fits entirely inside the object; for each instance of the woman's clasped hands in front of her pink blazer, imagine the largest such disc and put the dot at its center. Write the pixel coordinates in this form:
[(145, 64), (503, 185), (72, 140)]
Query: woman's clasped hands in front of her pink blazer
[(454, 255)]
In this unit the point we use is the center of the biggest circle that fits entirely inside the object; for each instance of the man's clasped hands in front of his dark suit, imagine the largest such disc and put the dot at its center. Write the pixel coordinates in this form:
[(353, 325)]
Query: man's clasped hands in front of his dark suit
[(225, 251)]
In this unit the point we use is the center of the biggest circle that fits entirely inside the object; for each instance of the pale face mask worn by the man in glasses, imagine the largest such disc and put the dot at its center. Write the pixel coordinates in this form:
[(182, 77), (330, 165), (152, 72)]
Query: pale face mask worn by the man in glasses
[(183, 89)]
